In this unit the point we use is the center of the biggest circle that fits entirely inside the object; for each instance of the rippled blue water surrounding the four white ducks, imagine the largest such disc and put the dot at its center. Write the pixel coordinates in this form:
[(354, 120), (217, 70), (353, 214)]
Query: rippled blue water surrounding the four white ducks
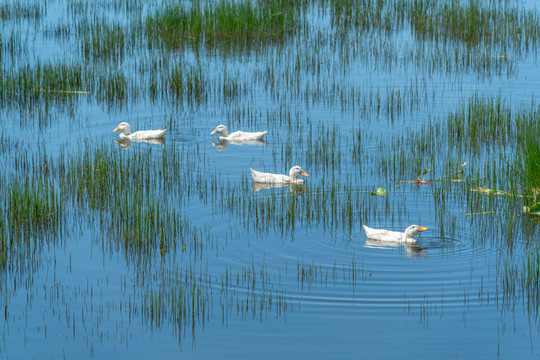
[(270, 272)]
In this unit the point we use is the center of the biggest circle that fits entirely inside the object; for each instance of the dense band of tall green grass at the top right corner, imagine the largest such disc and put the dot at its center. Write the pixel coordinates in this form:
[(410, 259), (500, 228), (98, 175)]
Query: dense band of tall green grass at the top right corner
[(473, 23)]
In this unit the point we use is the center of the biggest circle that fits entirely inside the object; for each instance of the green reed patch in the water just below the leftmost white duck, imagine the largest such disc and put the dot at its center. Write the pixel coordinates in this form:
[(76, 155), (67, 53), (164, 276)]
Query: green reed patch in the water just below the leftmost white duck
[(135, 197)]
